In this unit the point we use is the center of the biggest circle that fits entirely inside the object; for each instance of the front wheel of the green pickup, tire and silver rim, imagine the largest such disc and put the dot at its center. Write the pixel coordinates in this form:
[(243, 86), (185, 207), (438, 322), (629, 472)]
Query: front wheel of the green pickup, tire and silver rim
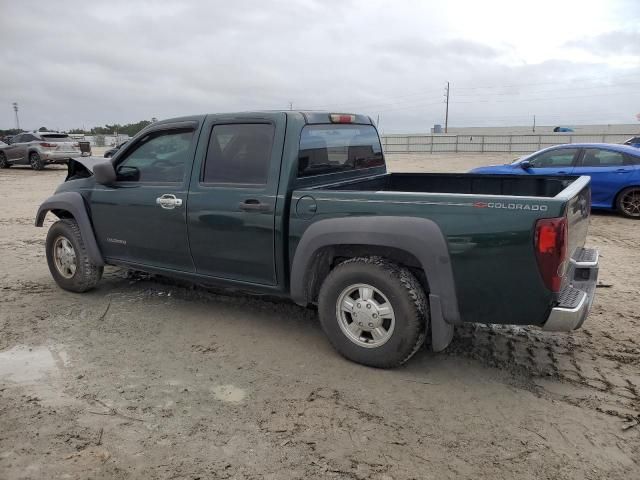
[(68, 260)]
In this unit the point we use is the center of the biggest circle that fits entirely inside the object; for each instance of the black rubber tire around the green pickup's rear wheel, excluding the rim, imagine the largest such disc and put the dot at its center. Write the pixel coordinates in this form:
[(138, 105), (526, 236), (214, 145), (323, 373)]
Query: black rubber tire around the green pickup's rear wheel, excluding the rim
[(403, 291)]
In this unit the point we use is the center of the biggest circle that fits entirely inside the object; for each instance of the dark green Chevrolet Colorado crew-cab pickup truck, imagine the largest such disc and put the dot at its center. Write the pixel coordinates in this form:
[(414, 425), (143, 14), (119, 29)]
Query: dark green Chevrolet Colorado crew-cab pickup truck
[(300, 205)]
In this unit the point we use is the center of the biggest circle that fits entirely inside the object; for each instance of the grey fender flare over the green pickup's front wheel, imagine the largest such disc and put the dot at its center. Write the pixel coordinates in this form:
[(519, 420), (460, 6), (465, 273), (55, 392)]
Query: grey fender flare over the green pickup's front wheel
[(73, 203)]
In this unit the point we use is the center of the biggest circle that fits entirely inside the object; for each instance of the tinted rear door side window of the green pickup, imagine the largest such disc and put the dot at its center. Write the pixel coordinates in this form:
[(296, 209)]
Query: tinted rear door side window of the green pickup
[(239, 153)]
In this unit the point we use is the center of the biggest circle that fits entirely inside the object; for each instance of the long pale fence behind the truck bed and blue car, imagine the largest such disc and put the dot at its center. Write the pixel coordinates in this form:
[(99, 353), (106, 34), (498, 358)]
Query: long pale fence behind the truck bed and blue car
[(489, 143)]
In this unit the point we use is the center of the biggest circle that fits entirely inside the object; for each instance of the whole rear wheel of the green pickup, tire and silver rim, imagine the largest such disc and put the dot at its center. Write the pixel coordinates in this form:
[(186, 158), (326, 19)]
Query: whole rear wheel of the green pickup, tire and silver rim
[(374, 312)]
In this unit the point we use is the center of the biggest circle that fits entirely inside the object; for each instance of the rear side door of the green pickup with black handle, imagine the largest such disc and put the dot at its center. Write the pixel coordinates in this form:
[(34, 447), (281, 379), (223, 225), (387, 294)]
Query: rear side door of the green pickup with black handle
[(232, 198)]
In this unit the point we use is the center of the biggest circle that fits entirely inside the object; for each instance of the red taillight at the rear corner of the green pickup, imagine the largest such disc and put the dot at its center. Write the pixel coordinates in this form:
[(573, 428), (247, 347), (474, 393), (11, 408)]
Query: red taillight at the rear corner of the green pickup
[(551, 250)]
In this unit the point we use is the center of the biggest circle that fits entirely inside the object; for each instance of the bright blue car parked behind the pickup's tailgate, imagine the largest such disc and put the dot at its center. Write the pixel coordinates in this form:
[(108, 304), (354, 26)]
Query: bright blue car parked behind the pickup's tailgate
[(614, 171)]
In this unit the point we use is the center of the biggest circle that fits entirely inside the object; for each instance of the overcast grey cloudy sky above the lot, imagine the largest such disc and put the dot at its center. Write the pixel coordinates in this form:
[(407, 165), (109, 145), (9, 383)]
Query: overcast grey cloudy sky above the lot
[(85, 63)]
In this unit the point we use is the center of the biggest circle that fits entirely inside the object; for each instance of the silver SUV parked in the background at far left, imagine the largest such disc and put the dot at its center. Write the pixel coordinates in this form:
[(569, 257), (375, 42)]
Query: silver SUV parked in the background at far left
[(38, 149)]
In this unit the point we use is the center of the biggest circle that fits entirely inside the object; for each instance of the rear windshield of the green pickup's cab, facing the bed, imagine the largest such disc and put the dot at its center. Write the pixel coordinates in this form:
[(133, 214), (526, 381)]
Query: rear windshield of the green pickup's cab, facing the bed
[(337, 148)]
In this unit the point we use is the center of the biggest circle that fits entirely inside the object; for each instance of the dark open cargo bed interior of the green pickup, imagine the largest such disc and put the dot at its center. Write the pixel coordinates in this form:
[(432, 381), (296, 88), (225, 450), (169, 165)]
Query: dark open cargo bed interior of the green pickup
[(529, 186)]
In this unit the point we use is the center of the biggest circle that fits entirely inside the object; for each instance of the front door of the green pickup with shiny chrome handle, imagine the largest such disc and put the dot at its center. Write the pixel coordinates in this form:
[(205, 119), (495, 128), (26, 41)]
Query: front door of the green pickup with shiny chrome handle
[(142, 217)]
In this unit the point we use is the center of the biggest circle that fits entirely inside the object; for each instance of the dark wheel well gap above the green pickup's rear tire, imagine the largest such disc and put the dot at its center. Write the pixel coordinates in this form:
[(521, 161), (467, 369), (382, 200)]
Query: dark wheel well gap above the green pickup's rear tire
[(327, 258)]
